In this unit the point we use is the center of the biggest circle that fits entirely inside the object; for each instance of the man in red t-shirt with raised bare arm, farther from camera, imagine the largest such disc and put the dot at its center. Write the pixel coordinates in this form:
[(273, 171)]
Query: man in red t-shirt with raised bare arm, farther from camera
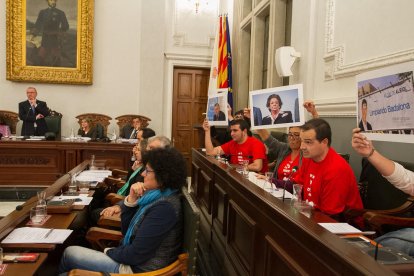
[(242, 147)]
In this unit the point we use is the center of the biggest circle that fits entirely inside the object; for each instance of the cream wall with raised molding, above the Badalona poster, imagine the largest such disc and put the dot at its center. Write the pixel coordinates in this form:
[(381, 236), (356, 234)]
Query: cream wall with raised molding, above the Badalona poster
[(340, 39)]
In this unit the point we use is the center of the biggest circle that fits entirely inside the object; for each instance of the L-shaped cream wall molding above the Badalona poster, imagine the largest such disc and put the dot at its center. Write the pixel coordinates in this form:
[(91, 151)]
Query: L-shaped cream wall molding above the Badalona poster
[(335, 66)]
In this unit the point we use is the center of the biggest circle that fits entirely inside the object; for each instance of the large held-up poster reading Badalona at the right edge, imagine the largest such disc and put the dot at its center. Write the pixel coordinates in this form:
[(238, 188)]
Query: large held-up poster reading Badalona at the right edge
[(385, 105)]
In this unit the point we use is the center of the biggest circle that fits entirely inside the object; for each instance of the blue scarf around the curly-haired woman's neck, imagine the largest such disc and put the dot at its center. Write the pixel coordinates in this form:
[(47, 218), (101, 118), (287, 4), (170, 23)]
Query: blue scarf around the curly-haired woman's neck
[(143, 203)]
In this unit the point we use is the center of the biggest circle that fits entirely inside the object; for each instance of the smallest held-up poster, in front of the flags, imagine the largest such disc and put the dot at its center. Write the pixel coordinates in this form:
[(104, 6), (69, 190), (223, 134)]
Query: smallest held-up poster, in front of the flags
[(217, 111)]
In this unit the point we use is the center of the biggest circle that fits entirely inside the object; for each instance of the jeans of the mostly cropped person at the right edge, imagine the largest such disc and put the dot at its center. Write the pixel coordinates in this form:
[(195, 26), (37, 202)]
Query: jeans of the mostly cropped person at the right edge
[(402, 240)]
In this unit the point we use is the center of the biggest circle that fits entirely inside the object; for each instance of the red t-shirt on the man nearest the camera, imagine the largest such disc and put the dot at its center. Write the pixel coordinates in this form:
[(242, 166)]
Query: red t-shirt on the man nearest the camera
[(330, 184)]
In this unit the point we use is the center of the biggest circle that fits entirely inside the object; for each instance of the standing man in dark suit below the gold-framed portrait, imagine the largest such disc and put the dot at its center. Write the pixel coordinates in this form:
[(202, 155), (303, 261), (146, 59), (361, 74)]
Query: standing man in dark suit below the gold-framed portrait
[(32, 113)]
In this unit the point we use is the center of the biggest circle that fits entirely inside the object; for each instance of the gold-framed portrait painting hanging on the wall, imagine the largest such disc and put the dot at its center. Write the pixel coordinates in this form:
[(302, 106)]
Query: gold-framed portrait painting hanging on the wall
[(37, 54)]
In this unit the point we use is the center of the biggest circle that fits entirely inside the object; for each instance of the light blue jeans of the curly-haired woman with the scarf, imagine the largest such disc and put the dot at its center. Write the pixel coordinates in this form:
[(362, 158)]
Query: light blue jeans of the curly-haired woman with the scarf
[(85, 258)]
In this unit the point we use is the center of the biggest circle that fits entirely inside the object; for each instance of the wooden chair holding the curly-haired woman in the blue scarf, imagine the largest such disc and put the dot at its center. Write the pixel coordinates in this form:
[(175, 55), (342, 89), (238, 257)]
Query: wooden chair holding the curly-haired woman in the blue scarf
[(186, 262)]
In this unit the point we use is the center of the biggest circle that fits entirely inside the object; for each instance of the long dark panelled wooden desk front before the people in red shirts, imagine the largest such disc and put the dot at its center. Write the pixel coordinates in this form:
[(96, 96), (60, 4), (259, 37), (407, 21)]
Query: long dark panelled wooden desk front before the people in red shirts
[(246, 231)]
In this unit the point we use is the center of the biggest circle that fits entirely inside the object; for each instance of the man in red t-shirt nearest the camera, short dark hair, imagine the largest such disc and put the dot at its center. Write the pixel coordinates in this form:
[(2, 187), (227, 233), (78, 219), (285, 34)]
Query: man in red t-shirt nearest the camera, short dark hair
[(328, 181)]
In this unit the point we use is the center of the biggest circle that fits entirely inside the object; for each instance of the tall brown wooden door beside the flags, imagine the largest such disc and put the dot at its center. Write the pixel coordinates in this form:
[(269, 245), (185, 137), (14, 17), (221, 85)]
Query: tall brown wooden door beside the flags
[(189, 102)]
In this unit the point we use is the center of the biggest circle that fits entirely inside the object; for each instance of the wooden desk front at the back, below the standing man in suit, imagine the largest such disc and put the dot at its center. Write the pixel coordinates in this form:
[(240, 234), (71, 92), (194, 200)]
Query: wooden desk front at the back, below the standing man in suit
[(40, 163)]
